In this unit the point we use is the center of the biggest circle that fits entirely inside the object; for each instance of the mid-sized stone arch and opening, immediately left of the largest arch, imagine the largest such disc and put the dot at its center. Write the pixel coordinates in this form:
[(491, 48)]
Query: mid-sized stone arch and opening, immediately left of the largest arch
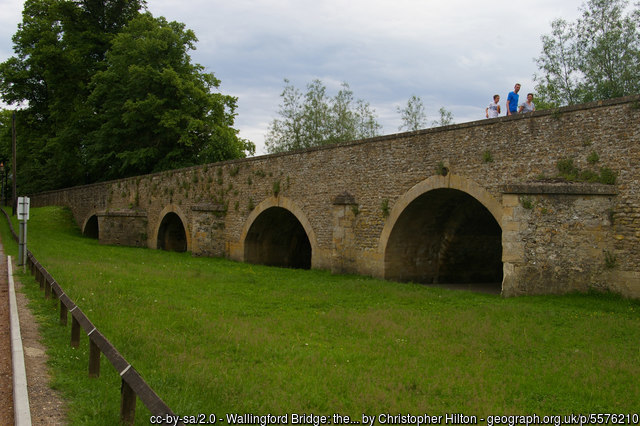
[(278, 233)]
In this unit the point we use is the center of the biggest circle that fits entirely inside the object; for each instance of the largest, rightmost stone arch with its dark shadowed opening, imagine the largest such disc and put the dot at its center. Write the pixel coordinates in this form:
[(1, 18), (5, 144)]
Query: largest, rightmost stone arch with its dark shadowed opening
[(444, 230)]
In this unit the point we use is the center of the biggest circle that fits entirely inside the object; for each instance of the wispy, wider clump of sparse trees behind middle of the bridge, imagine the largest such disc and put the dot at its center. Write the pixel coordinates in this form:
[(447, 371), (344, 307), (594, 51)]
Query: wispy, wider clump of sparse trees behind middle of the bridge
[(315, 118)]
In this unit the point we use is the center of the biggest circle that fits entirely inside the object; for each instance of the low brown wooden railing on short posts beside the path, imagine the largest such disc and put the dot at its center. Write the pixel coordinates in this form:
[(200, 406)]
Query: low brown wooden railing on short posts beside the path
[(133, 385)]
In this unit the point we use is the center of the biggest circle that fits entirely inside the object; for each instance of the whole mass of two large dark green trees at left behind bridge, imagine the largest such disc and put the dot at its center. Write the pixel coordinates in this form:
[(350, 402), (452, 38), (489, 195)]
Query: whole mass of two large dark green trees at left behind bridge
[(106, 91)]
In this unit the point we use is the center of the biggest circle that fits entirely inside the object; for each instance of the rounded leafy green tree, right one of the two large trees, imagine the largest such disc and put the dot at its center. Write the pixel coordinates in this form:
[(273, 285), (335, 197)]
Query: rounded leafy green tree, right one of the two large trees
[(154, 109)]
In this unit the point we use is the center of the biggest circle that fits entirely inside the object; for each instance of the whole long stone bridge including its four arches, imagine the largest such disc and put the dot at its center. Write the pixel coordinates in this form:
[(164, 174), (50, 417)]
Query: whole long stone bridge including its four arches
[(478, 202)]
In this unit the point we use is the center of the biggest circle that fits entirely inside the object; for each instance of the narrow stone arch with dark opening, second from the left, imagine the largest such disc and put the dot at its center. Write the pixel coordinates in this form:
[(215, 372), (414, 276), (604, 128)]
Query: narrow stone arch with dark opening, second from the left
[(172, 231)]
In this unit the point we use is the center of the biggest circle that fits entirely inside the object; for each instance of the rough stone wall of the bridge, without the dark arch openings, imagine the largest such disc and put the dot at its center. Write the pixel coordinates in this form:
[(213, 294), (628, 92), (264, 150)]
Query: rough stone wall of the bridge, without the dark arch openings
[(555, 238)]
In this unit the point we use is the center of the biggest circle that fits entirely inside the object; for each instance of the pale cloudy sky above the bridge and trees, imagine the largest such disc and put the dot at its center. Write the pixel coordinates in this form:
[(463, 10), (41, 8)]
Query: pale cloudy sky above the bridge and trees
[(454, 53)]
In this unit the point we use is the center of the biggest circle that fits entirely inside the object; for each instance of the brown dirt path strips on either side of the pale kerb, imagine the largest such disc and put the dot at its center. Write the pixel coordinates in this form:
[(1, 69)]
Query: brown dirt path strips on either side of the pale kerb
[(47, 407)]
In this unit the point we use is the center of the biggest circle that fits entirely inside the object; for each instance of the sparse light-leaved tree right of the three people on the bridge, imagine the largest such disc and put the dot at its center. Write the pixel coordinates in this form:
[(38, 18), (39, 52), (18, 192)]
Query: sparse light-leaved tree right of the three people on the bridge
[(596, 57)]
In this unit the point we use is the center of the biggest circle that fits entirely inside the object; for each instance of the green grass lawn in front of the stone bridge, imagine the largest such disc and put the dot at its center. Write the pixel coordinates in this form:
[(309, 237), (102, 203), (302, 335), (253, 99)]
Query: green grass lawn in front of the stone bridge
[(214, 336)]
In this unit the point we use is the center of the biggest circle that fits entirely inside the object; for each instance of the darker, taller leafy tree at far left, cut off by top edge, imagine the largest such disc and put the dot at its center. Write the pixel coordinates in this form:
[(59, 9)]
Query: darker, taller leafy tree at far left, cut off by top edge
[(58, 47)]
